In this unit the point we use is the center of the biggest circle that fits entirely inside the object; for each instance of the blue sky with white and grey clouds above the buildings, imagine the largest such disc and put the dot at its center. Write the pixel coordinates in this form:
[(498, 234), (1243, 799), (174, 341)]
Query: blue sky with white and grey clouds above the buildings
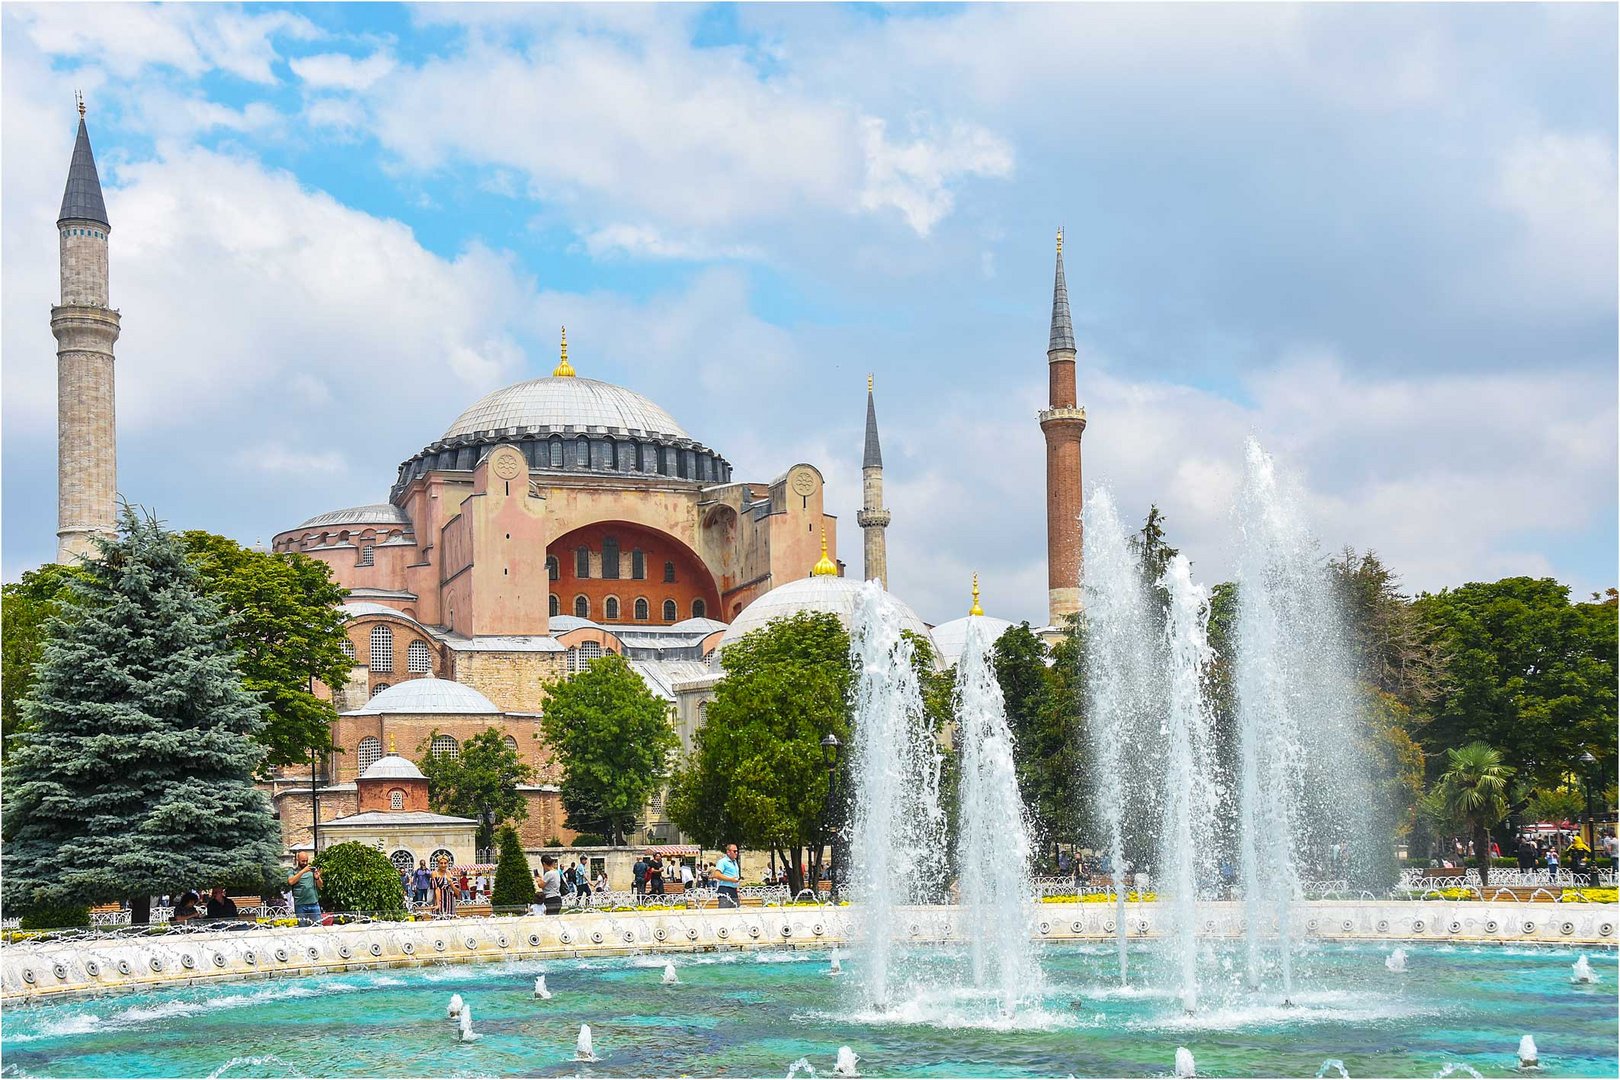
[(1379, 239)]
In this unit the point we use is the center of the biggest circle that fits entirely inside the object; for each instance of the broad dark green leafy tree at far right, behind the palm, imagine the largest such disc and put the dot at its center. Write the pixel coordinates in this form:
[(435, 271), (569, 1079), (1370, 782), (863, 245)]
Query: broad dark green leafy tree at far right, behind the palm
[(1530, 674)]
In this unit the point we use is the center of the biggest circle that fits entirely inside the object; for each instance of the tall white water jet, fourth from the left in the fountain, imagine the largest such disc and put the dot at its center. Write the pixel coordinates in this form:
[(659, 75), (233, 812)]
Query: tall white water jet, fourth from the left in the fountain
[(1190, 791)]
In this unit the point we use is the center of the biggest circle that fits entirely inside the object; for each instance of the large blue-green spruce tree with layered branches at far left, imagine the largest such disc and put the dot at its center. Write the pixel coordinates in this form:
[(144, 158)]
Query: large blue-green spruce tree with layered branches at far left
[(135, 772)]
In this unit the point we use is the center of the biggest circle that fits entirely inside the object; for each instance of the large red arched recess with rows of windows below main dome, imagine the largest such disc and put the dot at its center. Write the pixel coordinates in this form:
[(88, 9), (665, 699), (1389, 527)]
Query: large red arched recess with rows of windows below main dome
[(694, 584)]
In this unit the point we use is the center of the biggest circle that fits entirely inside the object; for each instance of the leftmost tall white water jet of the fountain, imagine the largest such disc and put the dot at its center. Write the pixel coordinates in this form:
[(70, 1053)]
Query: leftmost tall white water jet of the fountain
[(897, 825)]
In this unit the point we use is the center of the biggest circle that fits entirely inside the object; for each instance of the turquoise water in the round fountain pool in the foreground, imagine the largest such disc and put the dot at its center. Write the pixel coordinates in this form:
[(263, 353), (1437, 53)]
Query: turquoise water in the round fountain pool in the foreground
[(754, 1014)]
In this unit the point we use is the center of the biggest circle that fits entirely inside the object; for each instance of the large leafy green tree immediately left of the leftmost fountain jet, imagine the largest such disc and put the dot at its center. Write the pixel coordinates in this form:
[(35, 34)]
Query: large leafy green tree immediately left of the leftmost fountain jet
[(756, 775)]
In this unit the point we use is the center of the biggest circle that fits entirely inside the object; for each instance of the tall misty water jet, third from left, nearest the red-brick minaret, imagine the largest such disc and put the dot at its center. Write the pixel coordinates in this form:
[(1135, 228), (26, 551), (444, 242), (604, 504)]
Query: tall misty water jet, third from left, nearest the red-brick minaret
[(1120, 678)]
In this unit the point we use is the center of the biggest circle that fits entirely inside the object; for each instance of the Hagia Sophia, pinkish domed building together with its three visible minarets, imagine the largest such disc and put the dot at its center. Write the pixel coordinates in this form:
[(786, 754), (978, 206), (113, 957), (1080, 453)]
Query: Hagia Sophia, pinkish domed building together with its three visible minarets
[(553, 522)]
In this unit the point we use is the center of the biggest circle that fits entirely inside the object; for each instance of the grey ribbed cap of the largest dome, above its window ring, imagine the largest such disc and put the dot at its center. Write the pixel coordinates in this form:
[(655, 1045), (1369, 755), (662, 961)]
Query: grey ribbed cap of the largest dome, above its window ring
[(566, 402)]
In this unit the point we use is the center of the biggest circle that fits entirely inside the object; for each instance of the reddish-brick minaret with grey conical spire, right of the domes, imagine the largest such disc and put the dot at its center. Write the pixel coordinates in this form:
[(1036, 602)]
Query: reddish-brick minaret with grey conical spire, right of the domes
[(1064, 423)]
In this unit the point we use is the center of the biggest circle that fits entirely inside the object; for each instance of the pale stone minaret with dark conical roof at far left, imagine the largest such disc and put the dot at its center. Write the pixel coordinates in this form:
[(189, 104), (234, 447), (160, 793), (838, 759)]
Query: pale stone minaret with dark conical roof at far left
[(85, 328)]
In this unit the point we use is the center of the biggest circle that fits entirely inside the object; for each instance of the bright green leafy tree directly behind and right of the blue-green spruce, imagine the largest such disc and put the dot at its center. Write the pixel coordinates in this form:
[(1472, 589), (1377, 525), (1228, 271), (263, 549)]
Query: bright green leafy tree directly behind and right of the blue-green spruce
[(289, 631)]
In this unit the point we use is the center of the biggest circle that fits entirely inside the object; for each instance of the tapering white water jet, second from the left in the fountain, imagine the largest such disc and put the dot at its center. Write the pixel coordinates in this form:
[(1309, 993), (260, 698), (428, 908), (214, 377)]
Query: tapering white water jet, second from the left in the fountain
[(994, 848)]
